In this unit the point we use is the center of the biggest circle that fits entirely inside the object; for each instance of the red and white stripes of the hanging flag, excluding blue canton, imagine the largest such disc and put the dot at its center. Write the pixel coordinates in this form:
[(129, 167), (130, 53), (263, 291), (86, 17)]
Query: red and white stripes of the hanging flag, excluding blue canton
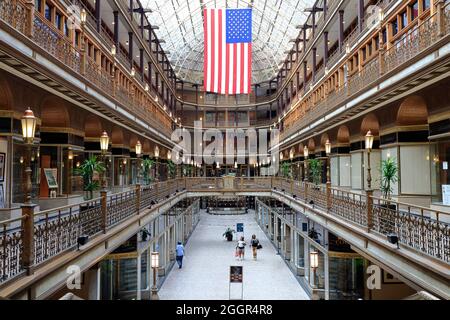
[(227, 66)]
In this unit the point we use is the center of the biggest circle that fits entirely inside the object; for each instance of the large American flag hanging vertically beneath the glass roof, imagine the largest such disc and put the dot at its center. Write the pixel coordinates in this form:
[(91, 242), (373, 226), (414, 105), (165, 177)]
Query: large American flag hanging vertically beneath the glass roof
[(228, 50)]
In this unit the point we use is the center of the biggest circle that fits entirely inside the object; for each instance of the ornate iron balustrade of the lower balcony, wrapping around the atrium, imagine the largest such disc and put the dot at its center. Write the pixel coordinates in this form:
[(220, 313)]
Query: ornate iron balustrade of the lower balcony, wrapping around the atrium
[(55, 231)]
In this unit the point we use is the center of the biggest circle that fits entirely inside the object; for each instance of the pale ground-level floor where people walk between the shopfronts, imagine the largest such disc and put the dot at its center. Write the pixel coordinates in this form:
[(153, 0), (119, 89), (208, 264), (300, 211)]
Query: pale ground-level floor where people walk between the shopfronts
[(205, 272)]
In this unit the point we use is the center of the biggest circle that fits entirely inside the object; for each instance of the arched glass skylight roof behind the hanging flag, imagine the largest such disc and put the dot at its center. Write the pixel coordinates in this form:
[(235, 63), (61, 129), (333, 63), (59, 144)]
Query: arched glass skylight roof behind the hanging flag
[(180, 25)]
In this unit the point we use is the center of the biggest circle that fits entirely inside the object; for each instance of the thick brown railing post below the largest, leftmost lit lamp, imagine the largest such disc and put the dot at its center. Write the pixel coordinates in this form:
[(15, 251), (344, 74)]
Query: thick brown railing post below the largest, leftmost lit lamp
[(28, 237)]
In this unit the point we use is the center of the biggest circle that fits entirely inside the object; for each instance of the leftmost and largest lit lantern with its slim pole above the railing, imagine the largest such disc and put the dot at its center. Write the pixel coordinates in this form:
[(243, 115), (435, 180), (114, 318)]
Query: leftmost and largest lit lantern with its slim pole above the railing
[(28, 129)]
